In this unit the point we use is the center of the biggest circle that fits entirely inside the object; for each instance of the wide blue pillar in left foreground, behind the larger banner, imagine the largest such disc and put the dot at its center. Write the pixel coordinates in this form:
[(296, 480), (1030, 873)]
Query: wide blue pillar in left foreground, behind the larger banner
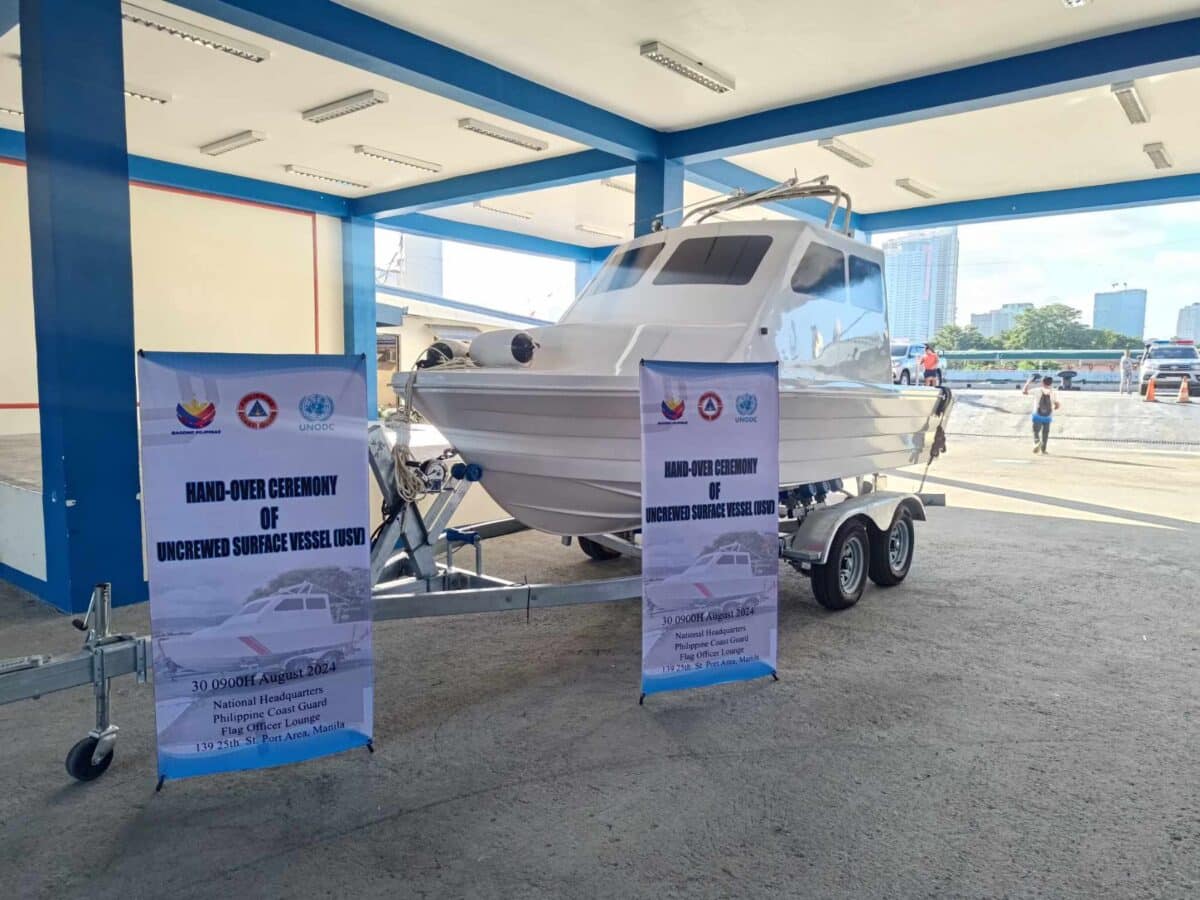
[(77, 172)]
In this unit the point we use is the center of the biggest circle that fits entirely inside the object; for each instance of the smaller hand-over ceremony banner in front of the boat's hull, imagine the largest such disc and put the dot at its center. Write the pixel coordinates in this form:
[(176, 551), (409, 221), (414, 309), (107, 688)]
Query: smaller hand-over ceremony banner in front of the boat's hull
[(710, 523)]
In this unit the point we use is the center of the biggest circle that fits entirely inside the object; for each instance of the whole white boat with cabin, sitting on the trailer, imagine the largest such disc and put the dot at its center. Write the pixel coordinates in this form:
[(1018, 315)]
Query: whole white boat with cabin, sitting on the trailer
[(557, 435)]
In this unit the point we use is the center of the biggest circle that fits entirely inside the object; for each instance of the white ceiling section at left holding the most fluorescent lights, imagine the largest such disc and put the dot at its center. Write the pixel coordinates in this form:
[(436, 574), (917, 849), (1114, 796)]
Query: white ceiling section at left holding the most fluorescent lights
[(215, 95)]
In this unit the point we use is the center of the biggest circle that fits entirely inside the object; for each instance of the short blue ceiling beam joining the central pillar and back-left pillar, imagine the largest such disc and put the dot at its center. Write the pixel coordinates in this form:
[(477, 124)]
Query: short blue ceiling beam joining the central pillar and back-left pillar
[(555, 172)]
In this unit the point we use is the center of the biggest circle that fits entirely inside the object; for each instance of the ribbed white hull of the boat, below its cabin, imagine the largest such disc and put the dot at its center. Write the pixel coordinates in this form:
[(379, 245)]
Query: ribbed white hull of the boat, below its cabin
[(562, 454)]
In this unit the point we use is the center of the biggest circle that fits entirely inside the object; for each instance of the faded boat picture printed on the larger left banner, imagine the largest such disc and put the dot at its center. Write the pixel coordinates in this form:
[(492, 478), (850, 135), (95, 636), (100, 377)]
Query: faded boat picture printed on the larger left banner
[(290, 629)]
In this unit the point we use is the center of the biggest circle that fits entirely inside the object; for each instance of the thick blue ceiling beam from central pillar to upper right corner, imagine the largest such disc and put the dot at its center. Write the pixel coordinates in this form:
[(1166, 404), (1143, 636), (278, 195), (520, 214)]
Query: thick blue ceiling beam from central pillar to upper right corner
[(1101, 61)]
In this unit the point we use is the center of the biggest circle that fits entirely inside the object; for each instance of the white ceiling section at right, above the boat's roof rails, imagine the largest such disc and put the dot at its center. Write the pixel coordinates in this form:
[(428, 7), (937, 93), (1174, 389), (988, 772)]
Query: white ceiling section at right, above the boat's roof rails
[(1067, 141)]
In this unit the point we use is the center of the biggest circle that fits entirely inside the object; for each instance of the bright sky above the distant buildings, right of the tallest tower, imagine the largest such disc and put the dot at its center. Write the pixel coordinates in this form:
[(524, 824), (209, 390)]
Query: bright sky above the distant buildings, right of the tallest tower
[(1069, 259)]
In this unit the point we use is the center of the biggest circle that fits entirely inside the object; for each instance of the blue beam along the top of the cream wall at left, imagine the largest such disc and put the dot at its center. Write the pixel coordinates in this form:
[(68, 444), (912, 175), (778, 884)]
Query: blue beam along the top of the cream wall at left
[(189, 178)]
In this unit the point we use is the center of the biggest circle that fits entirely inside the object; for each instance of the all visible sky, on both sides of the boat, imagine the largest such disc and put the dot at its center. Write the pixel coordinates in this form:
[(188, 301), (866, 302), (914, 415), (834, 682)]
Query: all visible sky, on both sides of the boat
[(1041, 261)]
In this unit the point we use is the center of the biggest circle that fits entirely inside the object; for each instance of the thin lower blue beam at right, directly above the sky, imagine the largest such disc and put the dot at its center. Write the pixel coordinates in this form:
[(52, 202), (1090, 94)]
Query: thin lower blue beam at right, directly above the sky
[(1173, 189)]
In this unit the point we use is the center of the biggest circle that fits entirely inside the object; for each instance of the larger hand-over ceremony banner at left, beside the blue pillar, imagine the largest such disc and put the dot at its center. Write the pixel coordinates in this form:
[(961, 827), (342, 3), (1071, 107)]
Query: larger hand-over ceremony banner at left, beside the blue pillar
[(255, 496)]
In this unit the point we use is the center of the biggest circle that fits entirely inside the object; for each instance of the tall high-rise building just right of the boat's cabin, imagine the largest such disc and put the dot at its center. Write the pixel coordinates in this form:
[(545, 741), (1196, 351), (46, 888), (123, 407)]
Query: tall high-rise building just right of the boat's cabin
[(922, 274)]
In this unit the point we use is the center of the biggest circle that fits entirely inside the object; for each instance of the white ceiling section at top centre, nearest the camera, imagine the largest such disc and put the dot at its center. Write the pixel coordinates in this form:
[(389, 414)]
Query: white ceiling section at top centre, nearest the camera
[(778, 52)]
